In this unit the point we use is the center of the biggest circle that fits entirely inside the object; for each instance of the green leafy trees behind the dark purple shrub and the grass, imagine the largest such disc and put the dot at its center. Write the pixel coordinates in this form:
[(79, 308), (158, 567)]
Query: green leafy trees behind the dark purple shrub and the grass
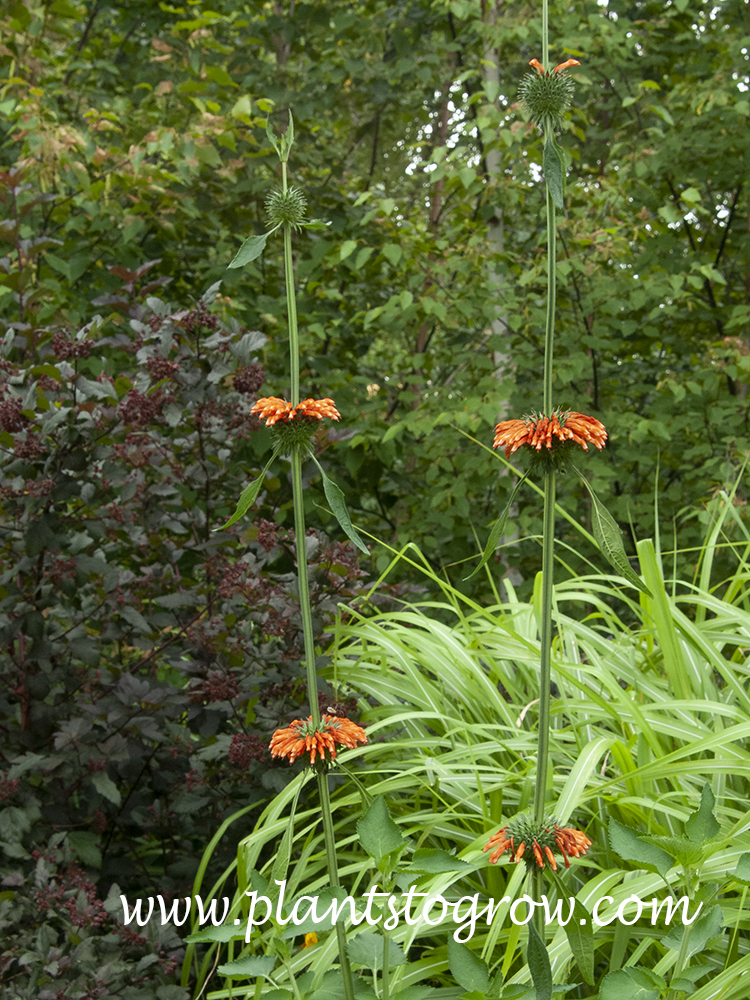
[(137, 131)]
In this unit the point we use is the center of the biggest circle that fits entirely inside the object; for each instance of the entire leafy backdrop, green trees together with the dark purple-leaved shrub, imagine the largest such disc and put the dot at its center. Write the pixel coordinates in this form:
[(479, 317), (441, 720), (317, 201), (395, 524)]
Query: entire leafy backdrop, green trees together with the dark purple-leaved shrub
[(133, 163)]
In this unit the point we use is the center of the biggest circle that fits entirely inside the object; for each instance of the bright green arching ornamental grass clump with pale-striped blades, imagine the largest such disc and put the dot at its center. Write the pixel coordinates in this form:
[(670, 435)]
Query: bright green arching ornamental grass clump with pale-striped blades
[(650, 703)]
